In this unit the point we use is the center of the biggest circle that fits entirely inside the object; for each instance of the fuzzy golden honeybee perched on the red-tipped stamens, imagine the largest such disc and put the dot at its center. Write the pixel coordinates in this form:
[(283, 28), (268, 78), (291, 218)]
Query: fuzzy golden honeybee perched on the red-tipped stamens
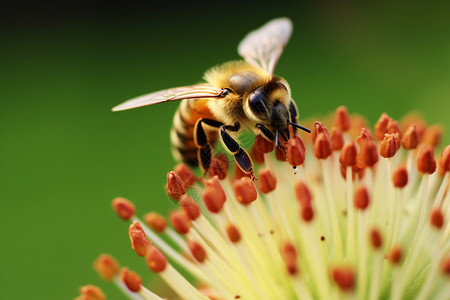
[(236, 95)]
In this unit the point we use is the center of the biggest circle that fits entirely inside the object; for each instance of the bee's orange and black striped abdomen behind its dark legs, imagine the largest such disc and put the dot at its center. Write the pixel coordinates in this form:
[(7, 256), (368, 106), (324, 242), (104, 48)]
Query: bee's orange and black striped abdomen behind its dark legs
[(182, 132)]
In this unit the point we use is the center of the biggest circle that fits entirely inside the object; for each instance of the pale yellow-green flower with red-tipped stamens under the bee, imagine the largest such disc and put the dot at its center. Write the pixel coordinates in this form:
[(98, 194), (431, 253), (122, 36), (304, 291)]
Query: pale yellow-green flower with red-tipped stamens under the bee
[(349, 214)]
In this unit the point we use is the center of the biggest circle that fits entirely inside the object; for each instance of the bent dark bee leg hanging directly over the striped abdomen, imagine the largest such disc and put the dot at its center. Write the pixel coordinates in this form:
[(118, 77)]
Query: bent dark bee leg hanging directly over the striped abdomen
[(204, 147)]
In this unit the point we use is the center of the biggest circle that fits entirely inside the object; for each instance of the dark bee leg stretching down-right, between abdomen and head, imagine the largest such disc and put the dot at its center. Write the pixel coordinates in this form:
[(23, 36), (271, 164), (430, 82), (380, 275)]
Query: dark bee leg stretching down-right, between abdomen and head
[(241, 156)]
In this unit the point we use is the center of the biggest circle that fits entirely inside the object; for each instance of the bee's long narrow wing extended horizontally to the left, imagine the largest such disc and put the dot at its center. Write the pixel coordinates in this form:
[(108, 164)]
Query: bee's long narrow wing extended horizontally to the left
[(186, 92)]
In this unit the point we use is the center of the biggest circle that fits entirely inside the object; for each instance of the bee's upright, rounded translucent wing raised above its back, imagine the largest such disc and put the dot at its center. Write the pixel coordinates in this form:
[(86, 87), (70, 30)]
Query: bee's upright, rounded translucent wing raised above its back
[(263, 46)]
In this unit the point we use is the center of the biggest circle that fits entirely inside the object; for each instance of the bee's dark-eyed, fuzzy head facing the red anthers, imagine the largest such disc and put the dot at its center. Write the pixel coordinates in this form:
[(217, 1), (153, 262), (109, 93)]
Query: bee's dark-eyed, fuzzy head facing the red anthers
[(270, 104)]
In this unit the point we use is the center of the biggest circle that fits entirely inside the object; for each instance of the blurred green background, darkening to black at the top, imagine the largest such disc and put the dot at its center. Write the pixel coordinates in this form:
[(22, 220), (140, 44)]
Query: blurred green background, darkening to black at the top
[(64, 155)]
